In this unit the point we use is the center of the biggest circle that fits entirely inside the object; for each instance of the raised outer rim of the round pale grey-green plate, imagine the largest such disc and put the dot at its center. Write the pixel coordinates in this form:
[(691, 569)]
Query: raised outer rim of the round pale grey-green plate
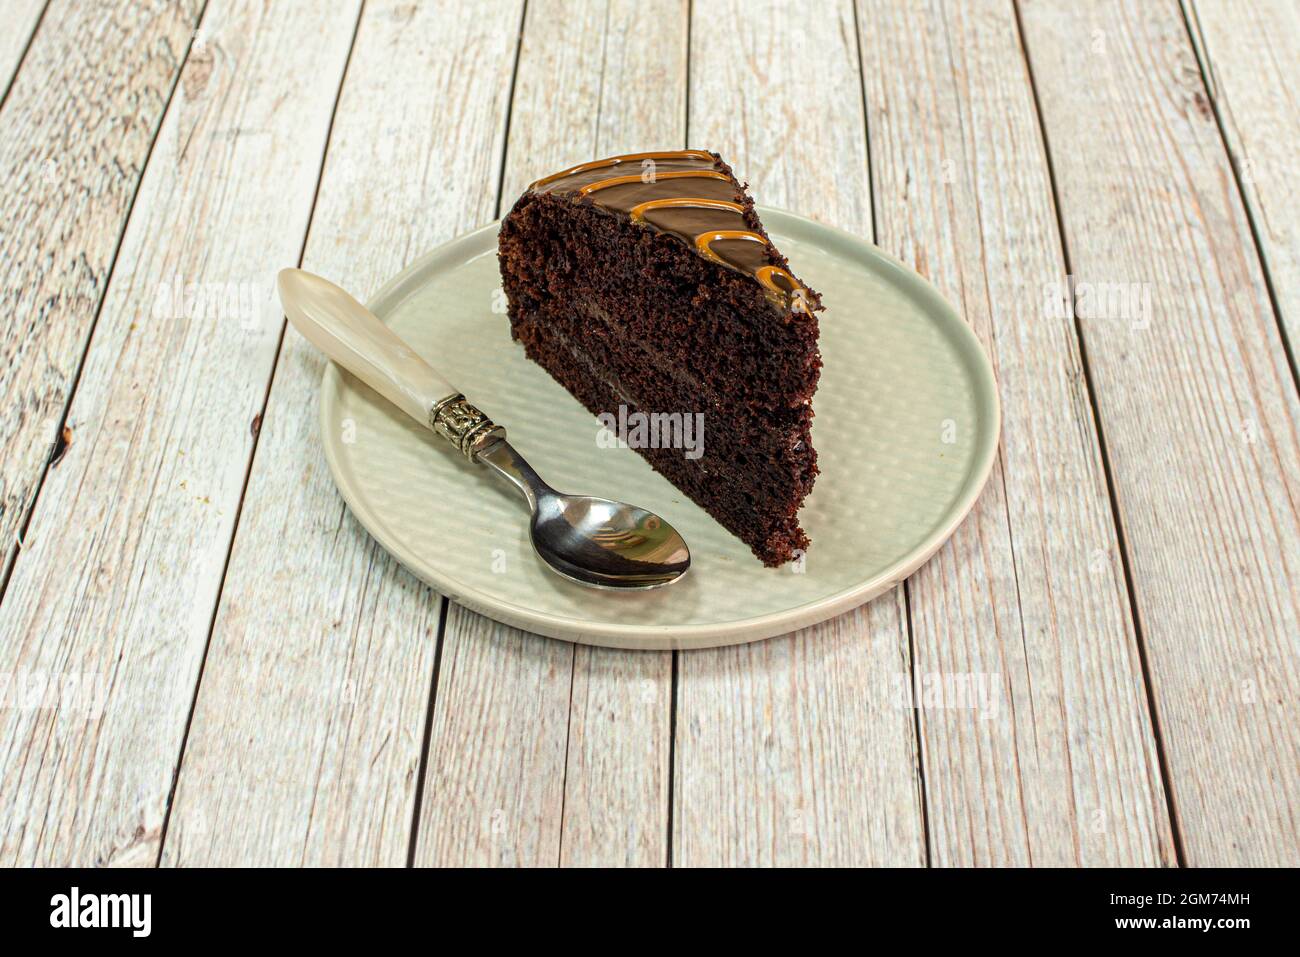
[(687, 636)]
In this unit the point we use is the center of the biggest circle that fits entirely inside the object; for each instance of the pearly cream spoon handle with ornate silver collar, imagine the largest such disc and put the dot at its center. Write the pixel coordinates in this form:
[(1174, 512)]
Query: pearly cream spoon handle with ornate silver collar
[(354, 337)]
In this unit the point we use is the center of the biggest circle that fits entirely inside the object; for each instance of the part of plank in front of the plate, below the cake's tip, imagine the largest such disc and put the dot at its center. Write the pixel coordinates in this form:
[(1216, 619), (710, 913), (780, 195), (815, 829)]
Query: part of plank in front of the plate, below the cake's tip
[(795, 752)]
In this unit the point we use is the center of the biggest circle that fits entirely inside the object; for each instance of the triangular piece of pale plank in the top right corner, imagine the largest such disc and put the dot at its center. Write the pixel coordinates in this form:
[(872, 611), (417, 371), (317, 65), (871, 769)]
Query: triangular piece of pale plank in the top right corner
[(1251, 53)]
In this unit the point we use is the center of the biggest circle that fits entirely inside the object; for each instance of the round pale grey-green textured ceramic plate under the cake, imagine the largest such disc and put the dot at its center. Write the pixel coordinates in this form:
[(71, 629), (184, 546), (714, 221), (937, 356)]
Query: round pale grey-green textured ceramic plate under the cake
[(907, 431)]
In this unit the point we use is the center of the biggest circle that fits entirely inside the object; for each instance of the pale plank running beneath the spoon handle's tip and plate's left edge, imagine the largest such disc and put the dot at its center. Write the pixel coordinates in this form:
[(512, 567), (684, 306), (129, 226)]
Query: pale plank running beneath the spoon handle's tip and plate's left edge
[(310, 722)]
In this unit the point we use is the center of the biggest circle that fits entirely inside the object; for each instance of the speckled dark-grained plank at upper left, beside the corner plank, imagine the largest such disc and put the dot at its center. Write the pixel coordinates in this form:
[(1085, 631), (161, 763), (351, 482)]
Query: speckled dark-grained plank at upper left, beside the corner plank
[(68, 185)]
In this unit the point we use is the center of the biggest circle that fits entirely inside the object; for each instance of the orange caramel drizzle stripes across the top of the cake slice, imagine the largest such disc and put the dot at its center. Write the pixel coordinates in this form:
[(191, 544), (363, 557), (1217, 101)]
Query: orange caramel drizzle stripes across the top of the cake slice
[(795, 296)]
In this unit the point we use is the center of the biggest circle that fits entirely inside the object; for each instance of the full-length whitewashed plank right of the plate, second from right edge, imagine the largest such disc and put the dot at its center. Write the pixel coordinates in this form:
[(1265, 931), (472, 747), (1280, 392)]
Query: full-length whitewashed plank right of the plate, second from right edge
[(1198, 408)]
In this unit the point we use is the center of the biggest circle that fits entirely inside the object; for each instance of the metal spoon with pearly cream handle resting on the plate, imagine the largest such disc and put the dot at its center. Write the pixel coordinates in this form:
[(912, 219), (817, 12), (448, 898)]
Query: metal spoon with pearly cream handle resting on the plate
[(588, 540)]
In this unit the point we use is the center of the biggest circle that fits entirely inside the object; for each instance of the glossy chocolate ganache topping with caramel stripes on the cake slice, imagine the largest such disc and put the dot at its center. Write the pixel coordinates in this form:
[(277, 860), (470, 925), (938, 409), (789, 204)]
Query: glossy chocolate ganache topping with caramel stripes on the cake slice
[(683, 193)]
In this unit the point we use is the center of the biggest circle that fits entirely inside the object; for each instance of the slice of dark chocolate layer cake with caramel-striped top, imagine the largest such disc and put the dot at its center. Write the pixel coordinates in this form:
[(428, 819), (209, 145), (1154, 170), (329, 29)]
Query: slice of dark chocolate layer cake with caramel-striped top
[(647, 287)]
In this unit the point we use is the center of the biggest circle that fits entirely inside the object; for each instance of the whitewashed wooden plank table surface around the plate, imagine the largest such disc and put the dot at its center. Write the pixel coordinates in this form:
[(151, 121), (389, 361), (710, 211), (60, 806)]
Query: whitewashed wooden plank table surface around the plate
[(205, 660)]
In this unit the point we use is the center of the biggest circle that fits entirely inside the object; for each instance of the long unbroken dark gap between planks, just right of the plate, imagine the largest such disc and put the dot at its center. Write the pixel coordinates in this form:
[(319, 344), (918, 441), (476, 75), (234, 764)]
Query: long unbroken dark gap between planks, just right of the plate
[(1167, 778)]
